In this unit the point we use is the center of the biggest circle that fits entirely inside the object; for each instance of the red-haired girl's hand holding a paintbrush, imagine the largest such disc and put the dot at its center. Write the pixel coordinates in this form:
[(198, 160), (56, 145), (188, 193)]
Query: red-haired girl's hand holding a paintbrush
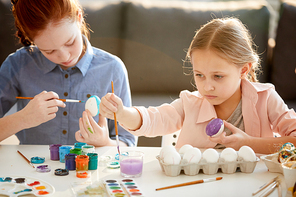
[(41, 108)]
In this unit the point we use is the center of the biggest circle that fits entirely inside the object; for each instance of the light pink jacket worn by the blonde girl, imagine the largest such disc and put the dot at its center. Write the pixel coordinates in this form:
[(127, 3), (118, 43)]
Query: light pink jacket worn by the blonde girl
[(264, 112)]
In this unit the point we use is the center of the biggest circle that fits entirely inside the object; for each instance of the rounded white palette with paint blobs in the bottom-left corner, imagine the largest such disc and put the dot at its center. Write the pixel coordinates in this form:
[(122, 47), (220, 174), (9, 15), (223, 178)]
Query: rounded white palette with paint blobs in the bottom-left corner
[(18, 186)]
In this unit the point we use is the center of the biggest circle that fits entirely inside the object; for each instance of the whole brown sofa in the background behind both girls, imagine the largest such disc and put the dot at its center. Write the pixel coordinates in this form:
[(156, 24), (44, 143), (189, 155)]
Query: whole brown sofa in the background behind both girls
[(151, 37)]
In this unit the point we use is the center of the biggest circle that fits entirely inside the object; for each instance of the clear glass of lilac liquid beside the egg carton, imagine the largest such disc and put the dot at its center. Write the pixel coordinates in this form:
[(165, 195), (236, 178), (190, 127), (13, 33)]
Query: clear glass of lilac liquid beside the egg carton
[(131, 164)]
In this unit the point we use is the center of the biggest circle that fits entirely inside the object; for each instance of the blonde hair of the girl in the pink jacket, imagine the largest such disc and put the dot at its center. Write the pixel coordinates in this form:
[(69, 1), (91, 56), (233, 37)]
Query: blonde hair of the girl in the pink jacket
[(229, 37)]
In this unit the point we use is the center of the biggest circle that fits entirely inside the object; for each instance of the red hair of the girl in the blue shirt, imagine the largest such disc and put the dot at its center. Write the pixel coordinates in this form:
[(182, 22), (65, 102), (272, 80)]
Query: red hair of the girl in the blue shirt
[(33, 16)]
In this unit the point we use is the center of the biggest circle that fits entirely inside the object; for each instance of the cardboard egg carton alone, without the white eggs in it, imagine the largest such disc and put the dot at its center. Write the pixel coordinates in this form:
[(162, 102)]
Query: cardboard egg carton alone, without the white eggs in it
[(192, 169)]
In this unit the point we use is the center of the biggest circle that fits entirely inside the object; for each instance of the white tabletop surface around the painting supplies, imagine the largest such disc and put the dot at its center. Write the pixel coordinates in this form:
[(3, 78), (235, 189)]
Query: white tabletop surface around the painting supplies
[(237, 184)]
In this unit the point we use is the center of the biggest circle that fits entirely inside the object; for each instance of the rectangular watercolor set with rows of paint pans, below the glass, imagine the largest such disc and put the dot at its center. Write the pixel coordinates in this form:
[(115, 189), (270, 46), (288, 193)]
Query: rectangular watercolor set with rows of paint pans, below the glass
[(124, 187)]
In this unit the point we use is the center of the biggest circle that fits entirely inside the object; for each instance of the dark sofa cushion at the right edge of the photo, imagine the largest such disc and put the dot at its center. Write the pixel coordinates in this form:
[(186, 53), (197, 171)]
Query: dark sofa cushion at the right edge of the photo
[(284, 55)]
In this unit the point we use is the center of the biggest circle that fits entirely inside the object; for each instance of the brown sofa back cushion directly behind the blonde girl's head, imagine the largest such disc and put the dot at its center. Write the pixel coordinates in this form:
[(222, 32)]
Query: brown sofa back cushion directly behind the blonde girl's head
[(157, 33)]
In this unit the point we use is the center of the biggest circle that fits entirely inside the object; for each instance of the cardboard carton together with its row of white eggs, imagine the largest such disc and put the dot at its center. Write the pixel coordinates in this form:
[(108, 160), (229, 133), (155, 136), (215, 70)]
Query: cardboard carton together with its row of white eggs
[(192, 161)]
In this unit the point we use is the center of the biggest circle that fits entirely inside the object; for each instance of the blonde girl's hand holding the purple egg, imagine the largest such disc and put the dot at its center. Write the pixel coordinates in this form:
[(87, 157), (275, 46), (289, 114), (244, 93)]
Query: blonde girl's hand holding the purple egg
[(237, 139)]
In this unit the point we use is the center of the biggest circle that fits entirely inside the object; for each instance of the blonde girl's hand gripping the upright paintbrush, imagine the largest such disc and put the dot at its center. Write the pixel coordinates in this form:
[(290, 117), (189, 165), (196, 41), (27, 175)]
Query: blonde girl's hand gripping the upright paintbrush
[(111, 104)]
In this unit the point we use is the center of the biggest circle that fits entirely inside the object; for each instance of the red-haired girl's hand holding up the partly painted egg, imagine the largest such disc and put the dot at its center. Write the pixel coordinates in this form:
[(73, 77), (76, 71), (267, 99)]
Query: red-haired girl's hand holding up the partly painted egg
[(93, 133)]
